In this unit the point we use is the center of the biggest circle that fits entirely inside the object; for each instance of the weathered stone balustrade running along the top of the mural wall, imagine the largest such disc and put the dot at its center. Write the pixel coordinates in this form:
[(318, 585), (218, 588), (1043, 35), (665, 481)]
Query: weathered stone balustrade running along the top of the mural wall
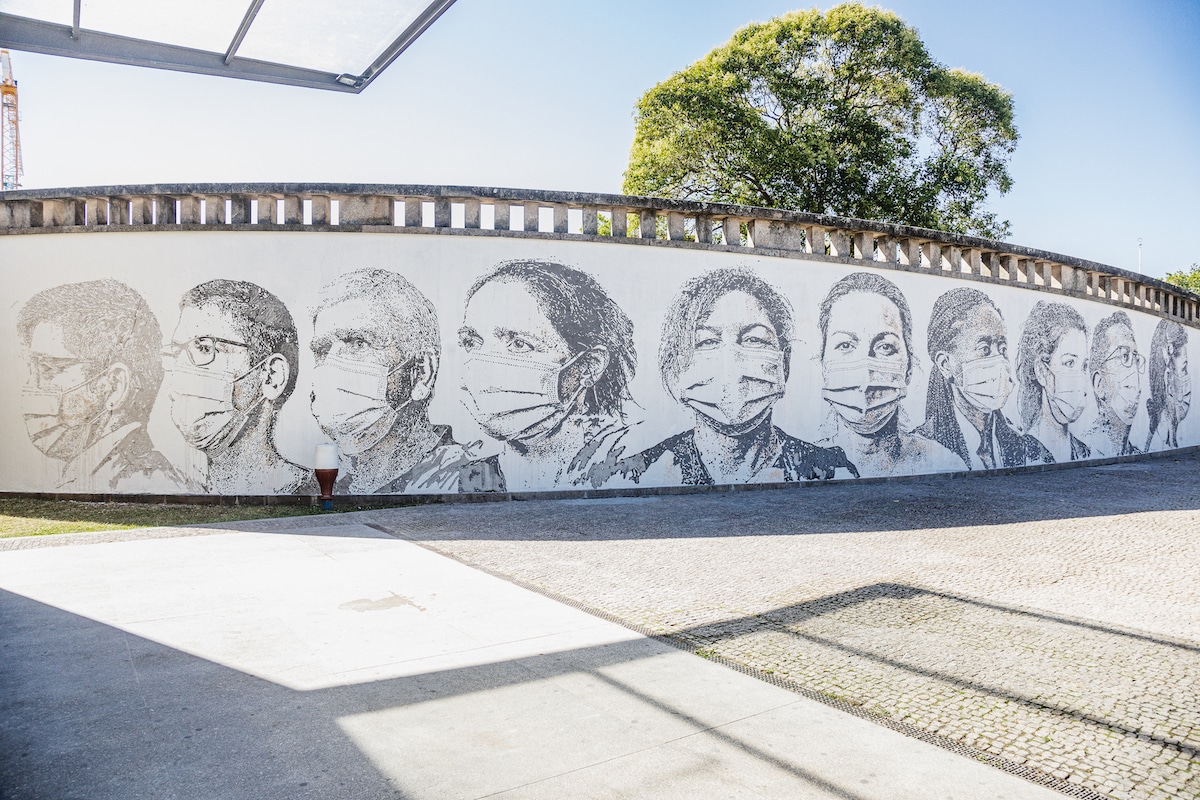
[(687, 225)]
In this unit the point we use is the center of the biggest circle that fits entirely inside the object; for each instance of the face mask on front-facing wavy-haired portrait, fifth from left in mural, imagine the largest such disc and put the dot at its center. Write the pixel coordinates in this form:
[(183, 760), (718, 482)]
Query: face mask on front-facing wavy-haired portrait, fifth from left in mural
[(733, 384)]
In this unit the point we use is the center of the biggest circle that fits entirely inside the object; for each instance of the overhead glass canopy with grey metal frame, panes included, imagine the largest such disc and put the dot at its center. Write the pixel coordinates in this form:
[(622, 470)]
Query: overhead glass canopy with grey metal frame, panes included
[(340, 45)]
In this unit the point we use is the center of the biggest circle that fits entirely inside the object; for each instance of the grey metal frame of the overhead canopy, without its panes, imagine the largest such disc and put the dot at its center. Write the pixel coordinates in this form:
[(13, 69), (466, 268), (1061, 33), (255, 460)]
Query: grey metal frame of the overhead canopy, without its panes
[(73, 41)]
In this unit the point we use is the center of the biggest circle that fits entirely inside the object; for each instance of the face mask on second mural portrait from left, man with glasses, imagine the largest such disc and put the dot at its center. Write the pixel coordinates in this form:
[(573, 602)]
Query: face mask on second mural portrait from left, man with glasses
[(202, 405)]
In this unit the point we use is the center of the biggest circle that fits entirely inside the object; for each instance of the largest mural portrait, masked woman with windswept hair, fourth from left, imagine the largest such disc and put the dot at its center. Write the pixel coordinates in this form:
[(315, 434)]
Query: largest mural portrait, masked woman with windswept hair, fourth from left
[(547, 363)]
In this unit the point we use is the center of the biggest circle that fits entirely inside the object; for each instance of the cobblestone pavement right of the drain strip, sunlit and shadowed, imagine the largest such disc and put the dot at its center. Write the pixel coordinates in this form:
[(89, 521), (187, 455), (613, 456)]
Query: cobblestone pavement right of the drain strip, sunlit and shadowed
[(1052, 619)]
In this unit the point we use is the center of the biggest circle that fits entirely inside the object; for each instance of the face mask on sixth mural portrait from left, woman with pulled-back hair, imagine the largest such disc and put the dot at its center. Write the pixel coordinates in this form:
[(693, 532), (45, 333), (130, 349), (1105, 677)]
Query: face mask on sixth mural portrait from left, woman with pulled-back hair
[(866, 393)]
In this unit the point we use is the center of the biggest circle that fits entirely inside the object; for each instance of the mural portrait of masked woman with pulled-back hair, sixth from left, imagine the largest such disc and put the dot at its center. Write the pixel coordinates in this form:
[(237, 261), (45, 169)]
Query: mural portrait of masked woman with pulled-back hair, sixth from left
[(867, 363)]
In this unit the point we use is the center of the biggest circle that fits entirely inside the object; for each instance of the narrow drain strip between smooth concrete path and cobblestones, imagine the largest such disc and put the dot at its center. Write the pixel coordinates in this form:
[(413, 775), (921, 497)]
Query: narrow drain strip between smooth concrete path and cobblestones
[(999, 762)]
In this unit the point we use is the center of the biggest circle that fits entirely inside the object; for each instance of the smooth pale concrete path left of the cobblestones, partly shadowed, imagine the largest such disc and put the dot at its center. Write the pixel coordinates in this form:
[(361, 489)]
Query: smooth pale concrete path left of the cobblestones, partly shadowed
[(332, 660)]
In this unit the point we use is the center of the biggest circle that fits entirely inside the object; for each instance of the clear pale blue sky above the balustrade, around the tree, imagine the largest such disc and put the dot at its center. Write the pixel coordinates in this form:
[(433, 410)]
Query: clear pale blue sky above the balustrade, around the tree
[(539, 94)]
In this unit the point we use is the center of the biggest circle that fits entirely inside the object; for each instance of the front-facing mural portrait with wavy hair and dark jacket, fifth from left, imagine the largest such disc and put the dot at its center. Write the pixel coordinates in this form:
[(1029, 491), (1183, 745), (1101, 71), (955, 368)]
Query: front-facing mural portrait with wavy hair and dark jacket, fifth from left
[(725, 356)]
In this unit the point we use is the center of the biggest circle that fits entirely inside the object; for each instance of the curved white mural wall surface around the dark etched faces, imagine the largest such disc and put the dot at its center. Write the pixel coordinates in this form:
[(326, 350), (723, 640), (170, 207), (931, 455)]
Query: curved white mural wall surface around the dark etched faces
[(643, 281)]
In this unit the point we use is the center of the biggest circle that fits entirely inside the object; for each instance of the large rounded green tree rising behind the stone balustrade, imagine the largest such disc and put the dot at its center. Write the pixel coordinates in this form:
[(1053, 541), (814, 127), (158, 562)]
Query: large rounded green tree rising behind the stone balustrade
[(841, 113)]
